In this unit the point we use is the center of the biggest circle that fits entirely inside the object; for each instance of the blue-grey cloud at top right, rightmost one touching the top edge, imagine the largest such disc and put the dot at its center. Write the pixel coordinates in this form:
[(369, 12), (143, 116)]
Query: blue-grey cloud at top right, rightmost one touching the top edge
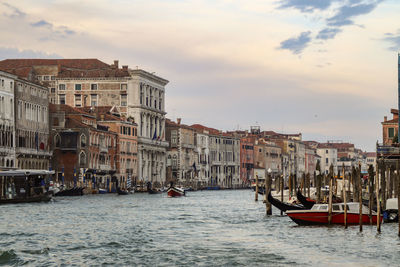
[(345, 13)]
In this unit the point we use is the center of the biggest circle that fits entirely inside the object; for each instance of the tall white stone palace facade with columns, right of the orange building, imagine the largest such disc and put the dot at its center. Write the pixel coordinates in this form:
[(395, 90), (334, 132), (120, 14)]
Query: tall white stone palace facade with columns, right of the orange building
[(146, 104)]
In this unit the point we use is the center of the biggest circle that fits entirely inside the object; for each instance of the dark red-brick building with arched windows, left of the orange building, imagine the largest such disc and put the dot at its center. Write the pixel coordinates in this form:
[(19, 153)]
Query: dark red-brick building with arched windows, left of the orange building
[(84, 151)]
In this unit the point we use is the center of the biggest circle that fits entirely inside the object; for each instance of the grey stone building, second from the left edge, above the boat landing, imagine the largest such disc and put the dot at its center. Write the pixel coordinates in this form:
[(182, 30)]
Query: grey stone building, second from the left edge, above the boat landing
[(31, 125)]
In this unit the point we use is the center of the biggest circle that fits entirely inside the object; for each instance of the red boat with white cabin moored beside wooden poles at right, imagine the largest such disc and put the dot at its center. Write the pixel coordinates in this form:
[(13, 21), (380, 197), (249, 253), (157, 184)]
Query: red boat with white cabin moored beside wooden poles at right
[(318, 214)]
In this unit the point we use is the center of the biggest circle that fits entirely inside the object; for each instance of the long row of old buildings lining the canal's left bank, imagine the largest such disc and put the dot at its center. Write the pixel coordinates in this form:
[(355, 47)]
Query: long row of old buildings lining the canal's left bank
[(92, 121)]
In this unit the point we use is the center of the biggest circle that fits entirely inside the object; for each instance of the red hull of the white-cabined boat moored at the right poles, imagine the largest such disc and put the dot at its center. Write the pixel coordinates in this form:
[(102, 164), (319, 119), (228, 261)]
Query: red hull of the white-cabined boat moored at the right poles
[(321, 218)]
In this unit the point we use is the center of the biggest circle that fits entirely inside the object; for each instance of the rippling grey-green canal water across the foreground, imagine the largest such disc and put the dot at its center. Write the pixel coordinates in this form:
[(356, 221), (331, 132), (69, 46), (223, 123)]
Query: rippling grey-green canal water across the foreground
[(206, 228)]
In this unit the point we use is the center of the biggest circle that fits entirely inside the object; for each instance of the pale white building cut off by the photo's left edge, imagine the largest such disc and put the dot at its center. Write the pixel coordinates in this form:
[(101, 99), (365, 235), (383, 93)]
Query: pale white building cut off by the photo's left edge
[(7, 120)]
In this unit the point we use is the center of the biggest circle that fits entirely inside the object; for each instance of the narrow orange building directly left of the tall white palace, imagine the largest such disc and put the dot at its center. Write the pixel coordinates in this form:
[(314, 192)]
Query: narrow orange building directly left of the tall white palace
[(126, 129)]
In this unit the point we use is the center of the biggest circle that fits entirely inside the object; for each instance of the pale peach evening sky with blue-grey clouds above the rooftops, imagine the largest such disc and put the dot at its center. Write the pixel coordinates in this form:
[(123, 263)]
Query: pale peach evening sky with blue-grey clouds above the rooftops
[(323, 68)]
